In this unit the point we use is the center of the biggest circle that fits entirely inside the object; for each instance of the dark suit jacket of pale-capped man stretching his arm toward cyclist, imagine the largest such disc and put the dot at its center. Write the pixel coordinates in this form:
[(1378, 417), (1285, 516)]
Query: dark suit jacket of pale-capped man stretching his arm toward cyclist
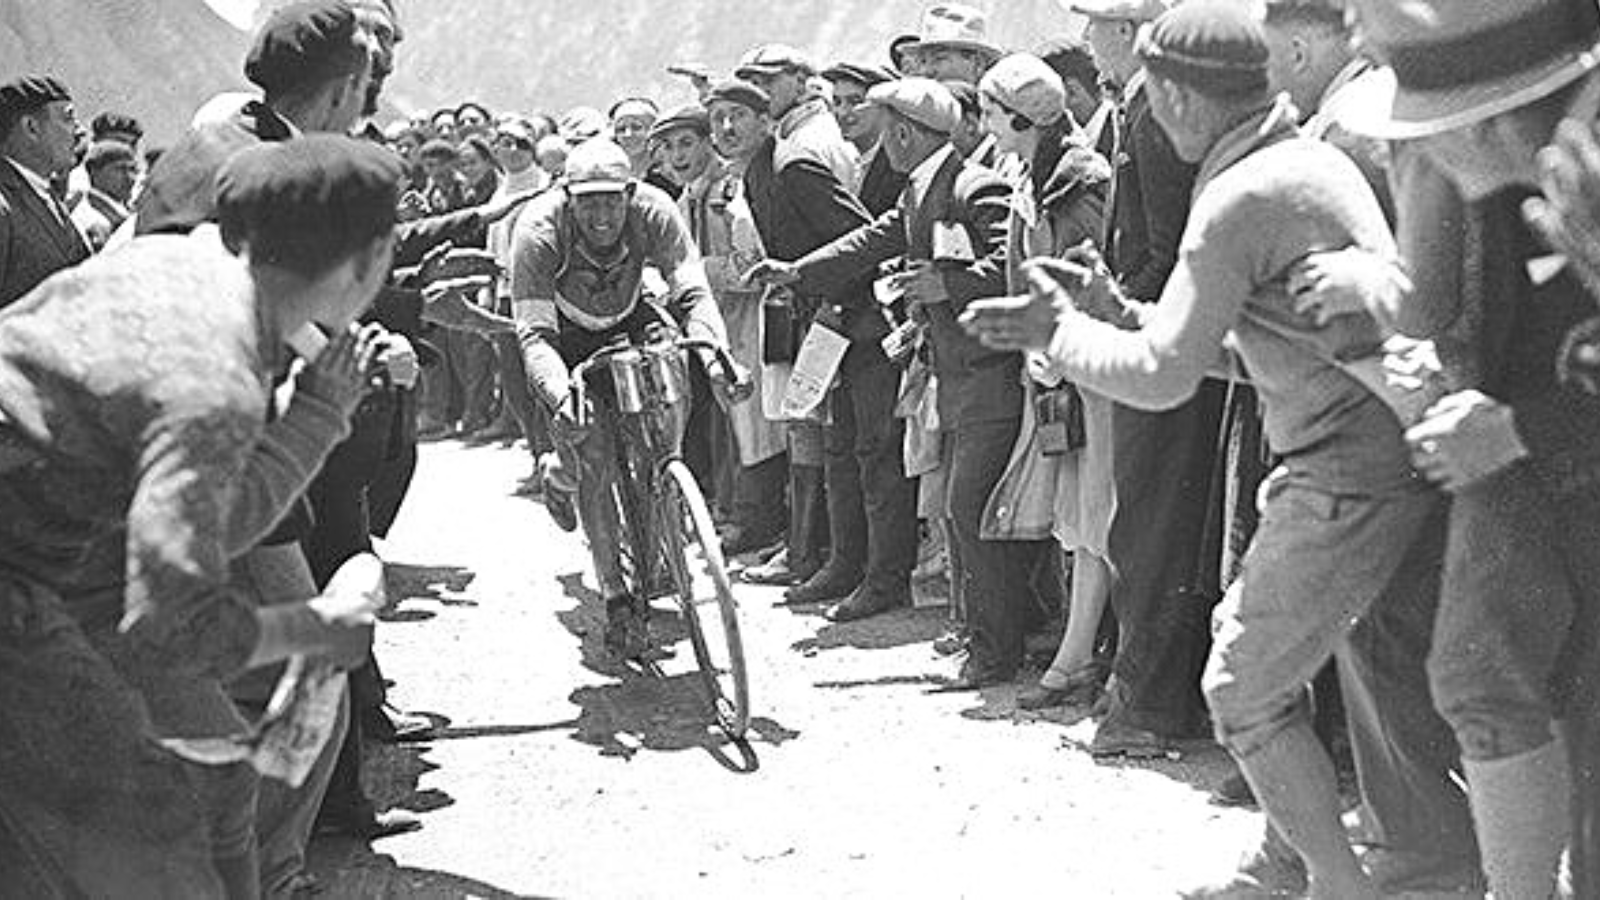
[(975, 384)]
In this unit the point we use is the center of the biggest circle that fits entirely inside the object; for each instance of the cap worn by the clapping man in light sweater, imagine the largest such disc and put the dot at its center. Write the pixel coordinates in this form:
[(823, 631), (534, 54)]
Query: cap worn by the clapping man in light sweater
[(1212, 46)]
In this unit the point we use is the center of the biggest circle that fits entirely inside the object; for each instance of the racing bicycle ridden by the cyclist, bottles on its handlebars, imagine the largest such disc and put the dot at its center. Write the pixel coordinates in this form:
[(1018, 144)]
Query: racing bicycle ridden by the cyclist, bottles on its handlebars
[(663, 515)]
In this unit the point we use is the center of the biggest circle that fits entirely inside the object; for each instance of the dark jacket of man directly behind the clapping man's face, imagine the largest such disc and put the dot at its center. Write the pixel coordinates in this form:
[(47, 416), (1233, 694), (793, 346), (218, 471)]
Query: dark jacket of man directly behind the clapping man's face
[(1150, 206)]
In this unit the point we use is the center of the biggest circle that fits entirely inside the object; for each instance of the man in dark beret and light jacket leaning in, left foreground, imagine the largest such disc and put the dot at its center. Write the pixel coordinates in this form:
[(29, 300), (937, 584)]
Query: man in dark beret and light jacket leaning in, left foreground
[(135, 396)]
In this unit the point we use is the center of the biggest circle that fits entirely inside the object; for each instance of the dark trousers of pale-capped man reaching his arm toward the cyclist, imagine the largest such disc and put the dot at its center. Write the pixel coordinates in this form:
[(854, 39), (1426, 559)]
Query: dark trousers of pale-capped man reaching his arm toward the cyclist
[(999, 592)]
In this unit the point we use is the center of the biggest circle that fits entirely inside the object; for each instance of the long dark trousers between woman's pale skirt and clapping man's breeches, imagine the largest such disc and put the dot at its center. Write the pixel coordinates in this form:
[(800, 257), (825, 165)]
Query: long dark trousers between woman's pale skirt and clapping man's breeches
[(1166, 544)]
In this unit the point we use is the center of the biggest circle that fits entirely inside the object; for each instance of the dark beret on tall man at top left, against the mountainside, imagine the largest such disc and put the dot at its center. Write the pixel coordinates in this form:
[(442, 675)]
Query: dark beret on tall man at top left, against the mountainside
[(306, 44)]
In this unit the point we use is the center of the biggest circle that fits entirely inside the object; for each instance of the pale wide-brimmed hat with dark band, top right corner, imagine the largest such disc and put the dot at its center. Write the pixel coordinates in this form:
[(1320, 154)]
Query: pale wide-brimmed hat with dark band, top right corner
[(1455, 63)]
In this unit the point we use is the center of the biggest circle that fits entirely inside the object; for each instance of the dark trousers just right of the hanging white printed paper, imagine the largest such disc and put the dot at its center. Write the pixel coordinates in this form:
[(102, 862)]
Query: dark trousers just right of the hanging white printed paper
[(871, 504)]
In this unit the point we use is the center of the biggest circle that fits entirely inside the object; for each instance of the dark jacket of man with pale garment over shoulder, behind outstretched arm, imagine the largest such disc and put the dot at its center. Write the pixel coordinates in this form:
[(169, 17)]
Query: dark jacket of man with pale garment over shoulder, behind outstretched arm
[(796, 212)]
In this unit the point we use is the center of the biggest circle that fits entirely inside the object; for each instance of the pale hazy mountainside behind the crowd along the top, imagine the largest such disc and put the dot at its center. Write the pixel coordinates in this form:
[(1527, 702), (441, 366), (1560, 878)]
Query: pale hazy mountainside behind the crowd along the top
[(162, 58)]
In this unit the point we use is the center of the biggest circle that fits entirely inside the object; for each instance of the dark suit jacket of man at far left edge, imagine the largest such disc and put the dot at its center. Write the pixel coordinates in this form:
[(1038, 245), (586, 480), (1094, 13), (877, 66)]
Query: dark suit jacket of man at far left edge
[(34, 244)]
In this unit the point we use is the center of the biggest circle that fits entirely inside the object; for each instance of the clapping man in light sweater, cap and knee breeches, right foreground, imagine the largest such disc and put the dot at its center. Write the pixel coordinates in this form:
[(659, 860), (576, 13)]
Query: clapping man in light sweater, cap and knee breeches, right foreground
[(1348, 528)]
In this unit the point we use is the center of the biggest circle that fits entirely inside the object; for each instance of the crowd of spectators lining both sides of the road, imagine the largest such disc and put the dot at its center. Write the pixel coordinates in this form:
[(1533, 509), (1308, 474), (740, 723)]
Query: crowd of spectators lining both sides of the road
[(1233, 369)]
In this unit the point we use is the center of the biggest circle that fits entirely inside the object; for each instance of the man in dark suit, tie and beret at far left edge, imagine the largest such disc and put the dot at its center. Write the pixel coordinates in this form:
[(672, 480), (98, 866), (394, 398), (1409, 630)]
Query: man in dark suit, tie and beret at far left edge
[(39, 140)]
